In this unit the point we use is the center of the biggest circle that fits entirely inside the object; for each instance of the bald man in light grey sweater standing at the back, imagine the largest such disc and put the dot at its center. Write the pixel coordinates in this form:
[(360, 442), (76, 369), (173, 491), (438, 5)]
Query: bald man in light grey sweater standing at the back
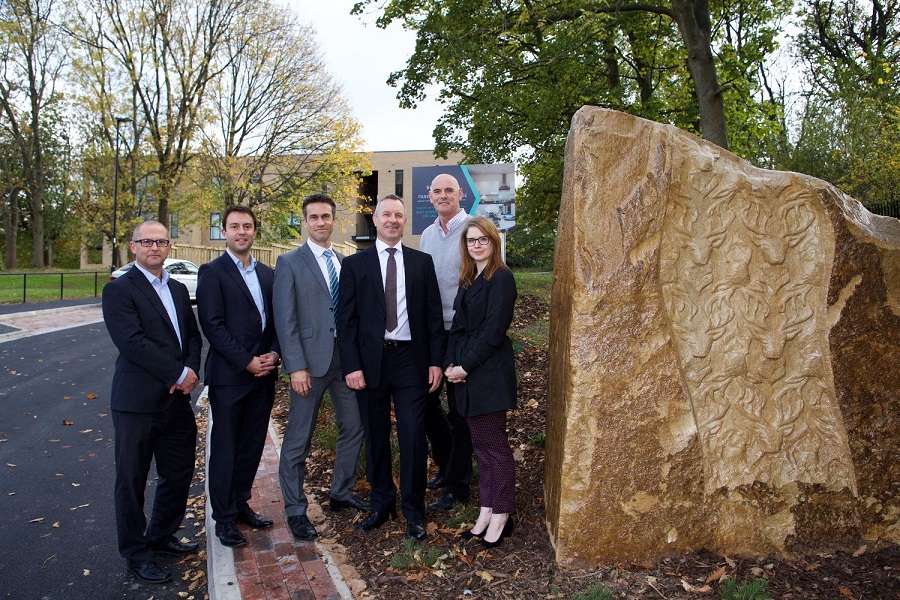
[(451, 443)]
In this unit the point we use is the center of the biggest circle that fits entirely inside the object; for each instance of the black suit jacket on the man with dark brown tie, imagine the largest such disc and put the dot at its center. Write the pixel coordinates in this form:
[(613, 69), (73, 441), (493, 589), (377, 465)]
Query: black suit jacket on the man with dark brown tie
[(361, 313)]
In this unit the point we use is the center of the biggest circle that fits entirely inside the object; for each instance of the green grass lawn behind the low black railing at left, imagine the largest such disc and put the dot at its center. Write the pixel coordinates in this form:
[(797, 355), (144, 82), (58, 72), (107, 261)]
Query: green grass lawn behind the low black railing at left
[(43, 287)]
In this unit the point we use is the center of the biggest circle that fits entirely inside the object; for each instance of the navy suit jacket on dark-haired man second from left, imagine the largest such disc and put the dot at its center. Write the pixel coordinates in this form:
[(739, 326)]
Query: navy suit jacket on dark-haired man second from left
[(232, 323)]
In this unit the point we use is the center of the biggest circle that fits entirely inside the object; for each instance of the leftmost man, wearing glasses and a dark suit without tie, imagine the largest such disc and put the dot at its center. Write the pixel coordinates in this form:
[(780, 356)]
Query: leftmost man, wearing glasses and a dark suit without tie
[(150, 320)]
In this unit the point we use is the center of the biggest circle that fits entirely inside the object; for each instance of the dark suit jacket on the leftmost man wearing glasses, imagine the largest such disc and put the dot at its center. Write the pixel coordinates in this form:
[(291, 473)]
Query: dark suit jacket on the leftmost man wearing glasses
[(150, 359)]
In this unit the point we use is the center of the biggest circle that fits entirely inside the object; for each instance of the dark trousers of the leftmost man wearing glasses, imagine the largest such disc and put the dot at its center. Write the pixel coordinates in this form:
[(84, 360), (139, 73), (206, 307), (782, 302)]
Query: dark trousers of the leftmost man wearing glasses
[(170, 438)]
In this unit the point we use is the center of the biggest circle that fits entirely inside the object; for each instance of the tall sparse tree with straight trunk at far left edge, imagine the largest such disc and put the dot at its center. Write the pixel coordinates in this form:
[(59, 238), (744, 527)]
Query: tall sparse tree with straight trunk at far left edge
[(32, 58)]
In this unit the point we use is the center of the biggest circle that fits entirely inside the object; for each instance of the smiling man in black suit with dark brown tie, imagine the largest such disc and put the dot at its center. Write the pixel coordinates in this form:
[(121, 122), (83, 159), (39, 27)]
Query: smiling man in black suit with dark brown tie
[(391, 337)]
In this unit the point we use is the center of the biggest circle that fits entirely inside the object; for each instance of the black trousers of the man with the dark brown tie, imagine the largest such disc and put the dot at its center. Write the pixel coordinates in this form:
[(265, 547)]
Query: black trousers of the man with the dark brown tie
[(407, 386)]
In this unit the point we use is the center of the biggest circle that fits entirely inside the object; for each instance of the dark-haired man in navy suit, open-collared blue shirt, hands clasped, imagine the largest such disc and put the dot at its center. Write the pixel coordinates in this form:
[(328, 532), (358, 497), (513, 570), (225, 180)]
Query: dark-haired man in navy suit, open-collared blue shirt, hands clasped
[(234, 302)]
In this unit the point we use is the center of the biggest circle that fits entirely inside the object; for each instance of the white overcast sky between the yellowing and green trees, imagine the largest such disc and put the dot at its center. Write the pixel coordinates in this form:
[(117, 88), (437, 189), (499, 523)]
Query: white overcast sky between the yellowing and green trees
[(360, 56)]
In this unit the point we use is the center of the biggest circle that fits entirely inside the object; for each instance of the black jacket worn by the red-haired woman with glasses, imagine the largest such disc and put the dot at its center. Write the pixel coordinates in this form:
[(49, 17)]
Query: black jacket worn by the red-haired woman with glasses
[(480, 345)]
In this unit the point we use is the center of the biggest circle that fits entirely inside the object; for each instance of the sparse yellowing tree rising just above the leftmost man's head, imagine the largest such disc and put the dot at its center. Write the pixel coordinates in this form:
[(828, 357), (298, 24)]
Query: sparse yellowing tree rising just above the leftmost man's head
[(167, 51)]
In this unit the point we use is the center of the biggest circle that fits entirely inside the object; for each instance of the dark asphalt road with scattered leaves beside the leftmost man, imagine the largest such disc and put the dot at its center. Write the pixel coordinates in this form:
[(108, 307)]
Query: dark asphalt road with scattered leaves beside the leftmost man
[(57, 526)]
